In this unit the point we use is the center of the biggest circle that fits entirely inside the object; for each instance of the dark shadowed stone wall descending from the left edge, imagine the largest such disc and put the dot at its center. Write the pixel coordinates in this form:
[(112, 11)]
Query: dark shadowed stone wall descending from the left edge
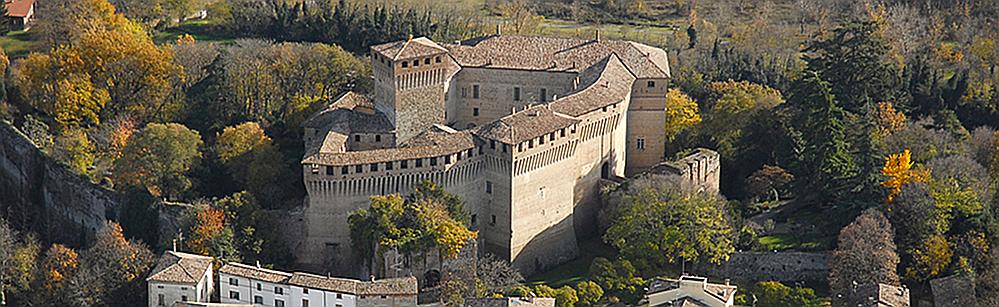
[(43, 196)]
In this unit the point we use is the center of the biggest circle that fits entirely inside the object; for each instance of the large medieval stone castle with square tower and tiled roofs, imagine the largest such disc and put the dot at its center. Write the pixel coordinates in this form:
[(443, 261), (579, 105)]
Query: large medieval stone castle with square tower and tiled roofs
[(525, 129)]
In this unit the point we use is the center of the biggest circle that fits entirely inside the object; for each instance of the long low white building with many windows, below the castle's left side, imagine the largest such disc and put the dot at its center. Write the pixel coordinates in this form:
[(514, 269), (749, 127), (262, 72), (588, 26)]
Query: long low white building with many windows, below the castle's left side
[(246, 284)]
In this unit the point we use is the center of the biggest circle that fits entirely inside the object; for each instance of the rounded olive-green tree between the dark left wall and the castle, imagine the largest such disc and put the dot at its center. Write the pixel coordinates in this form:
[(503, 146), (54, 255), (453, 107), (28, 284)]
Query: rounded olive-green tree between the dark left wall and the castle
[(158, 158)]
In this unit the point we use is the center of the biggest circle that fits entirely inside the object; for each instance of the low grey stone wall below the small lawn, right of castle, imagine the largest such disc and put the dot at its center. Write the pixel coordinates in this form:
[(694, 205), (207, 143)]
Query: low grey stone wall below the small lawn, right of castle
[(779, 266)]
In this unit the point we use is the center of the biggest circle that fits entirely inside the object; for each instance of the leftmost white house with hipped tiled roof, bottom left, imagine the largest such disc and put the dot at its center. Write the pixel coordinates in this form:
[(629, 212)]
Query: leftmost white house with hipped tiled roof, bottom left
[(180, 277)]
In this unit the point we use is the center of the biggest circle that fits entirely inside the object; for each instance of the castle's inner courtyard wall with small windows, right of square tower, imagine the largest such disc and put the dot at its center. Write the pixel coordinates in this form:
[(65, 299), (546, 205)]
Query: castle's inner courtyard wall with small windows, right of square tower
[(496, 93)]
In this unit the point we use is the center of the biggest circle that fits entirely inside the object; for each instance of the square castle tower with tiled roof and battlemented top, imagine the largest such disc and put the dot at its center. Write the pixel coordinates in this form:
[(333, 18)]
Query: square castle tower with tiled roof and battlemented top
[(411, 80)]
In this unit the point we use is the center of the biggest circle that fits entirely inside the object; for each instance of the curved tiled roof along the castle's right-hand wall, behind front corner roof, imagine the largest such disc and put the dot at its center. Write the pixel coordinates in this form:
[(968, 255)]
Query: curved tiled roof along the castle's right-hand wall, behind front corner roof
[(607, 83)]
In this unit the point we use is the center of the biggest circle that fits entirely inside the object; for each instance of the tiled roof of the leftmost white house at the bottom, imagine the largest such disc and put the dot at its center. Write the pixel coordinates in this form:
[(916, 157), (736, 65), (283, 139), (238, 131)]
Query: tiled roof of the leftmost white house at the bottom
[(178, 267)]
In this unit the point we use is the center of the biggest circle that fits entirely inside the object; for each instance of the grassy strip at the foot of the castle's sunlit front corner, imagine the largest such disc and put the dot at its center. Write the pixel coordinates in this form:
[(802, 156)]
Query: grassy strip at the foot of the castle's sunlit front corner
[(576, 270)]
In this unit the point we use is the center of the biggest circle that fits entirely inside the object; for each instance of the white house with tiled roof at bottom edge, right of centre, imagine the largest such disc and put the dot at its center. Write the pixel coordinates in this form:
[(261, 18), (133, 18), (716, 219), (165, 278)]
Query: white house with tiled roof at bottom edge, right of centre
[(688, 291)]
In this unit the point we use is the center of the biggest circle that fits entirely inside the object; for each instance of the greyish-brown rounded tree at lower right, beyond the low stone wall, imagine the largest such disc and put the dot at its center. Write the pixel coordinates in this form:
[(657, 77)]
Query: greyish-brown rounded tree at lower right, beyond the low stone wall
[(865, 254)]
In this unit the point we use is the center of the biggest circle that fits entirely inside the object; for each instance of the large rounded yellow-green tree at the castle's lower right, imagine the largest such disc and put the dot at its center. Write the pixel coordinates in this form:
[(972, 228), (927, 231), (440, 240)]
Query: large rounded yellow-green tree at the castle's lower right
[(655, 227)]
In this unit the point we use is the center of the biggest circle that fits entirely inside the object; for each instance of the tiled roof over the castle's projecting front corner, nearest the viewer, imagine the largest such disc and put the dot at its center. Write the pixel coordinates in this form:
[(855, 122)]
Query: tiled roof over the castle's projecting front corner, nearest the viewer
[(528, 124)]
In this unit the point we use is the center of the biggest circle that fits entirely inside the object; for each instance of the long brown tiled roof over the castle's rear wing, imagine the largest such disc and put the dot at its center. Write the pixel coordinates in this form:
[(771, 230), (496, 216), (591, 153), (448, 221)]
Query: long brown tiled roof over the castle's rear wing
[(557, 54)]
